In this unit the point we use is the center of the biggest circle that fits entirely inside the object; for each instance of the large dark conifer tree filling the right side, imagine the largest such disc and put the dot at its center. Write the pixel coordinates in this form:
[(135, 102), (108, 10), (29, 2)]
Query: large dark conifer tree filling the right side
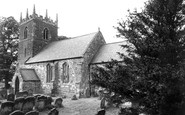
[(154, 64)]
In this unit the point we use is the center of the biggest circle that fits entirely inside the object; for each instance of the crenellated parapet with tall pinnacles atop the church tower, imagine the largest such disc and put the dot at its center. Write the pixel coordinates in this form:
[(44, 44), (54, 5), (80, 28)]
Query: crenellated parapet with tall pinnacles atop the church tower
[(34, 15)]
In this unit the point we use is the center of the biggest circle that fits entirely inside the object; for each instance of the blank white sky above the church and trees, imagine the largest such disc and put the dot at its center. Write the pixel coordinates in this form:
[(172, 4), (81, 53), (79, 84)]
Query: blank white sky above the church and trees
[(76, 17)]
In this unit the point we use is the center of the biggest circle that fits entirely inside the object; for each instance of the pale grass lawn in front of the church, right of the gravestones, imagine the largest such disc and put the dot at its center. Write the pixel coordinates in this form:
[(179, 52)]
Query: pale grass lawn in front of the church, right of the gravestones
[(83, 106)]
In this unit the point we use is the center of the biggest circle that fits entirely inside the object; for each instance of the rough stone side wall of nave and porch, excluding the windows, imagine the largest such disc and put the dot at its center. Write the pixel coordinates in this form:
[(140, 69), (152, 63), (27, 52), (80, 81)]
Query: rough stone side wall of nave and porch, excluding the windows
[(65, 89)]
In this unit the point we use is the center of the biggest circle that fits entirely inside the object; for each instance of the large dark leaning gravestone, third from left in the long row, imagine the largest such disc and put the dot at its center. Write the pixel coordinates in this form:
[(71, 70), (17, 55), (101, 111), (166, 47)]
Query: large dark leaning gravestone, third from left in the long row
[(28, 104)]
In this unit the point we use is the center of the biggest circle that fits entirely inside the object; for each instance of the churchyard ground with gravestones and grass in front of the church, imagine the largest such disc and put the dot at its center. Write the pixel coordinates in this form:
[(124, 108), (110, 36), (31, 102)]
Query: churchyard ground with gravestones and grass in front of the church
[(25, 103)]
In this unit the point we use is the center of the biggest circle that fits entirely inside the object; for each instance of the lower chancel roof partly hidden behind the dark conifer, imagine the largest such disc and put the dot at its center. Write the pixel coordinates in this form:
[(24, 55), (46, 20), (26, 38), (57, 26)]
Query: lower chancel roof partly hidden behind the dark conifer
[(108, 52)]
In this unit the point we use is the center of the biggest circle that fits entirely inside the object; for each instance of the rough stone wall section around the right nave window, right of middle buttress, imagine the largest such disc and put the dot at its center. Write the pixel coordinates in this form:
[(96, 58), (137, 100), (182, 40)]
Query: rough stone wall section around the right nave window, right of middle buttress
[(73, 86)]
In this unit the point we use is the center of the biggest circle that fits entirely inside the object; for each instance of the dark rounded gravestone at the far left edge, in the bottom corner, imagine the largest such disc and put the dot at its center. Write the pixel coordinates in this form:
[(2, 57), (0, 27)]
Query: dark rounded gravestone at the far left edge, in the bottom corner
[(6, 108)]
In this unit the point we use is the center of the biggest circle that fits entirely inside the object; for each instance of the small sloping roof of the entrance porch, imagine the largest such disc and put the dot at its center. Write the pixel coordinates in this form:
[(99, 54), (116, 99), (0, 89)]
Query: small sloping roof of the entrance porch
[(29, 75)]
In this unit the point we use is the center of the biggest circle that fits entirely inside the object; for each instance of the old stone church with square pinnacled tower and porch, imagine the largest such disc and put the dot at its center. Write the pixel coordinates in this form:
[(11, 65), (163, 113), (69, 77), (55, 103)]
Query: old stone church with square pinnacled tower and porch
[(48, 63)]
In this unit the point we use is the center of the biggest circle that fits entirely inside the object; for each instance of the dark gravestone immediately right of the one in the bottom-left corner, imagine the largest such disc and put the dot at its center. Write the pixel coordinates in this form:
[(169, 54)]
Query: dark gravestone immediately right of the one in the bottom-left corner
[(18, 103)]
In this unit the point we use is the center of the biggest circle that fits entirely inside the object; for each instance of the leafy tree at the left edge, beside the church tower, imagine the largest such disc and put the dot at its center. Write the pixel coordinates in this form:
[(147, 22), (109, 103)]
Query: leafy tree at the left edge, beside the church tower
[(8, 48)]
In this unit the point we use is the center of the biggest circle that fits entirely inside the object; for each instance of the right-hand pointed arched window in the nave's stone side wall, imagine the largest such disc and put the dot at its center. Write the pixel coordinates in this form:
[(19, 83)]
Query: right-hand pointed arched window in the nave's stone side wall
[(65, 73)]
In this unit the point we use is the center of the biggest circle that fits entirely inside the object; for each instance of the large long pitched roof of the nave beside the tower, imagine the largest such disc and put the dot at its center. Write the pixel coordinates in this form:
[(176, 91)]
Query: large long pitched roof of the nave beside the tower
[(64, 49)]
